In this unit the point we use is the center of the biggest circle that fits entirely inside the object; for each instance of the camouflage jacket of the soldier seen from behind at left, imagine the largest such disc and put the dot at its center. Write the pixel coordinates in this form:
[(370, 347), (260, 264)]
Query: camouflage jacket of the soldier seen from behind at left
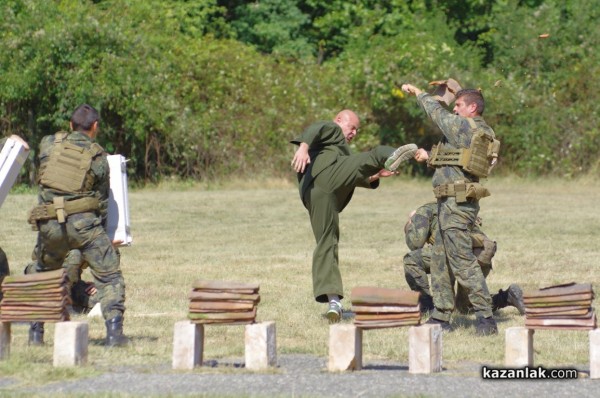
[(99, 169)]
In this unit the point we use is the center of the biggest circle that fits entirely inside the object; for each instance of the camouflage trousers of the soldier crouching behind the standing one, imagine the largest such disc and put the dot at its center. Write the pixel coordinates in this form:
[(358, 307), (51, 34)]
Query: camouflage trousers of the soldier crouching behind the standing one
[(417, 267)]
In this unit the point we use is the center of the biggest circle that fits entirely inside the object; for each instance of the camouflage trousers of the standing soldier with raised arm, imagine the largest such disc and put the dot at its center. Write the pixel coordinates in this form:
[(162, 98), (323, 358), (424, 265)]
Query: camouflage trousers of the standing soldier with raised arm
[(453, 260)]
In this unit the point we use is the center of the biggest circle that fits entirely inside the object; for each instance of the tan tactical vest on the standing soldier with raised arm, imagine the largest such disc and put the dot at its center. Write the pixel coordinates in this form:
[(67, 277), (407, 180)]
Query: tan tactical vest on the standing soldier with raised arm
[(478, 159)]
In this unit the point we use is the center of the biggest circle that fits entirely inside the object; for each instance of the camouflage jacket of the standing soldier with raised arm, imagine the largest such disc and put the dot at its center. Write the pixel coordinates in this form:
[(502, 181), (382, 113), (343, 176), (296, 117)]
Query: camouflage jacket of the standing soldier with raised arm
[(457, 134)]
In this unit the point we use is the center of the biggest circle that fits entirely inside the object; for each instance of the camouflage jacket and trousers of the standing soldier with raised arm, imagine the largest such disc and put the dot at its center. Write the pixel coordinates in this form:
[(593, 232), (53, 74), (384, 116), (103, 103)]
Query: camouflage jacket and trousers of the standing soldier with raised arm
[(453, 256)]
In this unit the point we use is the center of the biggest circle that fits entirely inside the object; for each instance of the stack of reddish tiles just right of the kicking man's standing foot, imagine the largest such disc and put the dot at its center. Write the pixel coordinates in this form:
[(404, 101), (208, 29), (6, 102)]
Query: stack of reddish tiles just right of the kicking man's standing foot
[(377, 307)]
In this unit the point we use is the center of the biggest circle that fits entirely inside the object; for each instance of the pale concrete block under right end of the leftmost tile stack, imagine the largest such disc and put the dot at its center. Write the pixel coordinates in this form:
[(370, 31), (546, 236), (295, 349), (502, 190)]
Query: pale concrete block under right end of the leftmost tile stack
[(70, 343)]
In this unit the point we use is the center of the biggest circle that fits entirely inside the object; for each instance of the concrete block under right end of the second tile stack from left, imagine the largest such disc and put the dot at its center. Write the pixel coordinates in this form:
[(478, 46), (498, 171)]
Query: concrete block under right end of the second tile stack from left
[(260, 346)]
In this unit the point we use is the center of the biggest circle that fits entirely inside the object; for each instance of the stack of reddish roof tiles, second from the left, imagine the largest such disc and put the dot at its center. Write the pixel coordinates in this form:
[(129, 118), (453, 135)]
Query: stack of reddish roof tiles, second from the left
[(223, 303)]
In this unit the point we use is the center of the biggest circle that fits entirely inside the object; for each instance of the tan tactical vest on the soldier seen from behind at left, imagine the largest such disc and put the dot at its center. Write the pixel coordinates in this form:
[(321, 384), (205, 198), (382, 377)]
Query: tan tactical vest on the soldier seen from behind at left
[(68, 166)]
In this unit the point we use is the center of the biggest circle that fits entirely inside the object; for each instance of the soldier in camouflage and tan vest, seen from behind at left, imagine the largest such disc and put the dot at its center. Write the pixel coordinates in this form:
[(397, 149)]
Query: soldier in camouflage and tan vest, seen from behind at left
[(72, 211)]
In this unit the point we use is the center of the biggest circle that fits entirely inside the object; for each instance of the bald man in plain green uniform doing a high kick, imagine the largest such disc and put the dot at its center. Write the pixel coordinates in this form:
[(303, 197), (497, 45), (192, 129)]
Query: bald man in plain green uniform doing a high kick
[(328, 173)]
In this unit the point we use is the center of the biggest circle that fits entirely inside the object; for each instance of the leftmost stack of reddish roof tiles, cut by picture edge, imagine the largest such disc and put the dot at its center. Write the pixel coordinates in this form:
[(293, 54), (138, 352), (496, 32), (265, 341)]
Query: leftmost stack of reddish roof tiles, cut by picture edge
[(41, 297)]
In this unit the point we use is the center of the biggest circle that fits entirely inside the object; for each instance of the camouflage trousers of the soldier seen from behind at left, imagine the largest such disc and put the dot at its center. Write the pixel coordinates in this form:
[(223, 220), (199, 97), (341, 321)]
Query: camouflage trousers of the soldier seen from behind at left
[(83, 231)]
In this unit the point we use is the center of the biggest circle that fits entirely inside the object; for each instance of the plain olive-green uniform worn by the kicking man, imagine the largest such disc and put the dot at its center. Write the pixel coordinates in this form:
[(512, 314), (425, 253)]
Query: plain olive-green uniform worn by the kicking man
[(326, 187)]
